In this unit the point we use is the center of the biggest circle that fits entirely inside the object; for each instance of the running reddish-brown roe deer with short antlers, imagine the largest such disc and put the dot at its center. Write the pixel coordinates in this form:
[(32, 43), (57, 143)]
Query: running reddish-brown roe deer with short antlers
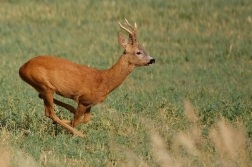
[(85, 85)]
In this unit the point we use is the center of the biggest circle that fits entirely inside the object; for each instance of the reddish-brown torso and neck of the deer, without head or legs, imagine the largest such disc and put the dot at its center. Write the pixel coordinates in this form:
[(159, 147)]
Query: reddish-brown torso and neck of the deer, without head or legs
[(88, 85)]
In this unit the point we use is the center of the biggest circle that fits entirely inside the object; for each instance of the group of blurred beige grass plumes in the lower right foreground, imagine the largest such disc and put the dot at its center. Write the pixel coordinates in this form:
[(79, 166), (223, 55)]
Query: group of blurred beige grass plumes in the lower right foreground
[(226, 145)]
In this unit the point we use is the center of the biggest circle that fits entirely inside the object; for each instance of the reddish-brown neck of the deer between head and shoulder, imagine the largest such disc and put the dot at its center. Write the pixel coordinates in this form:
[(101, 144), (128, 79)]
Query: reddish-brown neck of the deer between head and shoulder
[(118, 73)]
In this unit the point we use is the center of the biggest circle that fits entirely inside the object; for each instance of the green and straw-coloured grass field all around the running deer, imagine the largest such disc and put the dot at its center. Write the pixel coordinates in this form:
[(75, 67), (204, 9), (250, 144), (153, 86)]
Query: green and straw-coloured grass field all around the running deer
[(192, 108)]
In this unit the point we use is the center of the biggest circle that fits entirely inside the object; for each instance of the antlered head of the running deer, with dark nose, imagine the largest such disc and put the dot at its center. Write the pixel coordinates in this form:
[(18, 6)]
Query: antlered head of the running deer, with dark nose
[(133, 50)]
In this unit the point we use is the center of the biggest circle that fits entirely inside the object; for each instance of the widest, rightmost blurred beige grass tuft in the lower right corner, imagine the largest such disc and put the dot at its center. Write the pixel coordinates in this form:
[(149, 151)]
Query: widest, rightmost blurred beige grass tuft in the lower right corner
[(230, 144)]
